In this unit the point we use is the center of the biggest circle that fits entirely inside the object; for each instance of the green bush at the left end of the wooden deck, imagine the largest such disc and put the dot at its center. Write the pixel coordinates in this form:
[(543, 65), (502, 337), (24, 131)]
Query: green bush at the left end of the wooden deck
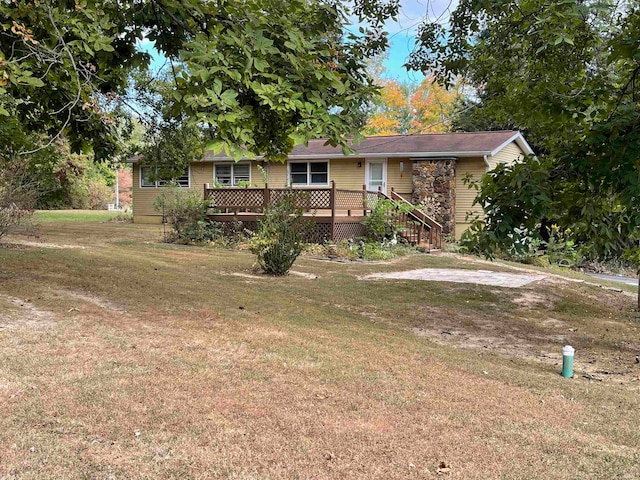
[(186, 212)]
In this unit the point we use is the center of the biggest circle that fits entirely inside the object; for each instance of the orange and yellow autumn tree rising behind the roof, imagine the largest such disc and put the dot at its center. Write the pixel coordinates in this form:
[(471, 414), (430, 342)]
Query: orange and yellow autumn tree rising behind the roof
[(409, 108)]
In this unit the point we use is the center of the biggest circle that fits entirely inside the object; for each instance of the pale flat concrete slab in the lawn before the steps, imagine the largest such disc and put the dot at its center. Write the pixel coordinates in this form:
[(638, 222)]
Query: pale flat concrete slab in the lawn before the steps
[(479, 277)]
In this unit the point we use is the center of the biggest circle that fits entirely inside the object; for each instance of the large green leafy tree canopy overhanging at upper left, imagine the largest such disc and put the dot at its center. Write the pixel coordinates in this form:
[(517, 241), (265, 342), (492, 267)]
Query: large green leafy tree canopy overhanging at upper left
[(258, 74)]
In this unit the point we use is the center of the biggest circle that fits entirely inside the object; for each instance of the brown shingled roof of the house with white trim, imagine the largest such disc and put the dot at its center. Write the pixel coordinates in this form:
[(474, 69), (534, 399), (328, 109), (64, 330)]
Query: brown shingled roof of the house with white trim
[(425, 145)]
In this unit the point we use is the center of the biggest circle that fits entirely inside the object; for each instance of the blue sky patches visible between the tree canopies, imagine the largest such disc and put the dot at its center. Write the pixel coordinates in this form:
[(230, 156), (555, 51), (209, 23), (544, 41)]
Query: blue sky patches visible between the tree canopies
[(402, 35)]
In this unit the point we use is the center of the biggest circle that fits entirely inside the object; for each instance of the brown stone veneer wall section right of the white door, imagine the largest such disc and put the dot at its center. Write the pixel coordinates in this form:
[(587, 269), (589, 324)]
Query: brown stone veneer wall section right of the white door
[(434, 190)]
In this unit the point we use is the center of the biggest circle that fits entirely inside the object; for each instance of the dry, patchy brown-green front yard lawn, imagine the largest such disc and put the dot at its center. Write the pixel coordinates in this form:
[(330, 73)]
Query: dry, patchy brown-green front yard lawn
[(123, 357)]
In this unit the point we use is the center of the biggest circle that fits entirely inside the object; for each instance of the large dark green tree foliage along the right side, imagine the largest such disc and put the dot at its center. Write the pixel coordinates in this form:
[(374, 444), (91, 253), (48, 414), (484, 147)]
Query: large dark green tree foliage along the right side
[(567, 72)]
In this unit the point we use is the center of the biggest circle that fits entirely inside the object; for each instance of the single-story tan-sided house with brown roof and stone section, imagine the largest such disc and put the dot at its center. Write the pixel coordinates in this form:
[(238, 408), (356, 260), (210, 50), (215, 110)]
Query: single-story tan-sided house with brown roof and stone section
[(426, 169)]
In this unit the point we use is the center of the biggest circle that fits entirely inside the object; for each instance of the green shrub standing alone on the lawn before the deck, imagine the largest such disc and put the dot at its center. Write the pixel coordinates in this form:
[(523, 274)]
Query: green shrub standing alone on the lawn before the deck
[(279, 238)]
